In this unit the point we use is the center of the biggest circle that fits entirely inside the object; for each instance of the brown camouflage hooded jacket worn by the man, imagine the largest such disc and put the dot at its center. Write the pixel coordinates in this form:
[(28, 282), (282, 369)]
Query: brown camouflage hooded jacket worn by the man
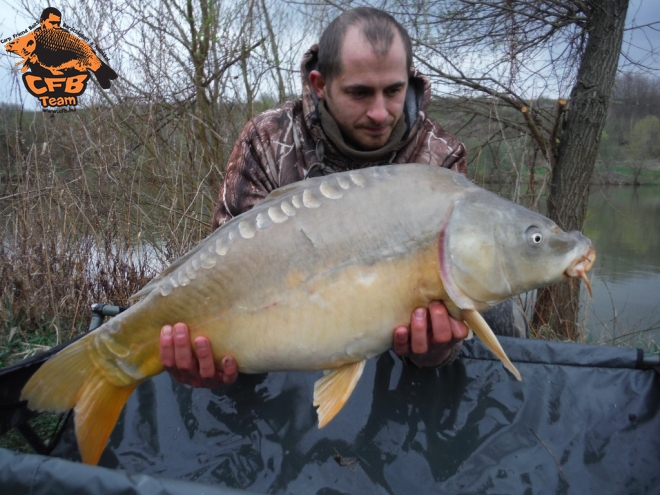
[(287, 144)]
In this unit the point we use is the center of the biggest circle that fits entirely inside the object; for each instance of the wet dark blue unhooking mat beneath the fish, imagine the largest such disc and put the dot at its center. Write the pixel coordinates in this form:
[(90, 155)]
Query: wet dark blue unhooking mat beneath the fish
[(585, 419)]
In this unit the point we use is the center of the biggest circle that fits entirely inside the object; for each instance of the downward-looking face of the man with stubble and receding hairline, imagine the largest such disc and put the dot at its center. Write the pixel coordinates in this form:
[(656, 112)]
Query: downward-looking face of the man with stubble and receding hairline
[(367, 98)]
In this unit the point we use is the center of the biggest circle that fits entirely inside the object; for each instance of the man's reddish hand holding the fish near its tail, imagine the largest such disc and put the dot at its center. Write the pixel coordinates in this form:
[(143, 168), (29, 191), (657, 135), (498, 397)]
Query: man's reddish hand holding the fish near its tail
[(198, 368)]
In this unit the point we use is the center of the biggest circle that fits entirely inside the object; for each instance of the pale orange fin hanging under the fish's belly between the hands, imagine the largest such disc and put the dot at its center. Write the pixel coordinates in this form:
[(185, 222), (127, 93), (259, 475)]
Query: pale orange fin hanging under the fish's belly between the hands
[(333, 390)]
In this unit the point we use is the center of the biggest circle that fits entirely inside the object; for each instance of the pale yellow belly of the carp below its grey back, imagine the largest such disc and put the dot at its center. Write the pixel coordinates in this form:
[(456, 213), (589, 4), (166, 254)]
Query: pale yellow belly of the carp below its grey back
[(339, 317)]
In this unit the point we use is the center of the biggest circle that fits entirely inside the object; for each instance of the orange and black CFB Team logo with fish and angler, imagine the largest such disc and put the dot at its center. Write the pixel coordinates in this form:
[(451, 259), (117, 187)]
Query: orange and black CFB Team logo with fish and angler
[(58, 61)]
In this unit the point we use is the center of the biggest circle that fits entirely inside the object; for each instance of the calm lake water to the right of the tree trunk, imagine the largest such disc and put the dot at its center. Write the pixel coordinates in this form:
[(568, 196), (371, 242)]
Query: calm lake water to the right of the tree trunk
[(624, 225)]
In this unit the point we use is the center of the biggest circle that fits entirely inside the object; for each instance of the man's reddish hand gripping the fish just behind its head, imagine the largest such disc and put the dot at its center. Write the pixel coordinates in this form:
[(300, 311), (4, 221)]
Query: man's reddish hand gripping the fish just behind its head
[(432, 335)]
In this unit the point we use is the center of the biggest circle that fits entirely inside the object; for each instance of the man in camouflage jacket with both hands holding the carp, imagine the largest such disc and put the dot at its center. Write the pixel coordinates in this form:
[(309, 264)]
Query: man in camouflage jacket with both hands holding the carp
[(363, 105)]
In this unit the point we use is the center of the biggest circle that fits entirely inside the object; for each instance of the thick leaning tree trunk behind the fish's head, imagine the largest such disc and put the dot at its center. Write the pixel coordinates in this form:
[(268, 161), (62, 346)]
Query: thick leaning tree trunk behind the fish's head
[(578, 146)]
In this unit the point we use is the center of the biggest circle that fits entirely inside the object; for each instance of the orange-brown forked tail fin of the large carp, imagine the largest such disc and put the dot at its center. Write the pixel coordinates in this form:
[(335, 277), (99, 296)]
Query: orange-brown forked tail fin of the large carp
[(72, 380)]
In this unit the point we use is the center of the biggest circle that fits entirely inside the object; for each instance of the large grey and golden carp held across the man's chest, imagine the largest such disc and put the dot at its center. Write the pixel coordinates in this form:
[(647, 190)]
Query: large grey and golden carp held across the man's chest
[(316, 277)]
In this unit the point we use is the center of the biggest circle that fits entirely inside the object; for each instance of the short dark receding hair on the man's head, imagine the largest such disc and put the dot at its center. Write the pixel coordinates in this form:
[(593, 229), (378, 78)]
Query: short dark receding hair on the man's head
[(377, 27)]
